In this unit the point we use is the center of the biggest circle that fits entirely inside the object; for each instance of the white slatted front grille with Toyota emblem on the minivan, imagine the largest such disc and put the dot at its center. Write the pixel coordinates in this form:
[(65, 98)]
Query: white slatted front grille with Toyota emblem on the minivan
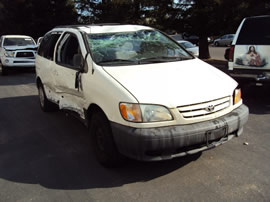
[(204, 108)]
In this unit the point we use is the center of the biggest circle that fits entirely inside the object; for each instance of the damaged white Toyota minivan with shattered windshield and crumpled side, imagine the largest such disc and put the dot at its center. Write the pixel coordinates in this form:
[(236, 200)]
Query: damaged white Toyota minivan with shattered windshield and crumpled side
[(139, 92)]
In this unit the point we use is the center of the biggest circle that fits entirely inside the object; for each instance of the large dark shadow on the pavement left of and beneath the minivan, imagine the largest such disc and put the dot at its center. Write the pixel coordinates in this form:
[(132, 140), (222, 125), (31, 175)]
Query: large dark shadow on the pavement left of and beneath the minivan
[(54, 150)]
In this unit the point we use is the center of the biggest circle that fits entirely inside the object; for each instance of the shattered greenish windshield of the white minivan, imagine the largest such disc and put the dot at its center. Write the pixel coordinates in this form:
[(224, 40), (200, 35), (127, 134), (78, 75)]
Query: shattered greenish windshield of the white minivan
[(138, 47)]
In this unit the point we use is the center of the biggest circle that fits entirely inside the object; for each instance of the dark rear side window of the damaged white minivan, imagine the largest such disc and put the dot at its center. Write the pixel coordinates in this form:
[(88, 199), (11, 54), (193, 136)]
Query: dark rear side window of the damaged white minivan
[(46, 48)]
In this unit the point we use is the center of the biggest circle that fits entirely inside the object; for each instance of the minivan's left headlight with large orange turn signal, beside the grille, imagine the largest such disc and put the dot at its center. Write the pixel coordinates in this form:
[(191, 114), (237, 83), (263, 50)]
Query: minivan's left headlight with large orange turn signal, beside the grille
[(144, 113)]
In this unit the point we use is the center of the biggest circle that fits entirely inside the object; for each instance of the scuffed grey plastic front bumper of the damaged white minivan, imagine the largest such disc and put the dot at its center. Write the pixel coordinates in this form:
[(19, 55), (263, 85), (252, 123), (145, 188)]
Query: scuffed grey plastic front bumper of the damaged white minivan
[(155, 144)]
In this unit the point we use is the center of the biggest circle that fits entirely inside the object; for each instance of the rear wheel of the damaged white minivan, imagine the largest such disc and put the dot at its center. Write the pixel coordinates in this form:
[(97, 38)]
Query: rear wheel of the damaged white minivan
[(45, 104)]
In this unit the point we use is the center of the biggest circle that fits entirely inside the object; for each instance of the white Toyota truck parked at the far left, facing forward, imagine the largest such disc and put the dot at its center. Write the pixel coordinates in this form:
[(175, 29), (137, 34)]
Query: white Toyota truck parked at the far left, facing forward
[(17, 51)]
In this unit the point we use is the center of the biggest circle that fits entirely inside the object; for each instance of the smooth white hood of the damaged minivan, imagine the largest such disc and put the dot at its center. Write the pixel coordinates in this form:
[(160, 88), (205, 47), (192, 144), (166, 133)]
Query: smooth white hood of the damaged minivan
[(174, 84)]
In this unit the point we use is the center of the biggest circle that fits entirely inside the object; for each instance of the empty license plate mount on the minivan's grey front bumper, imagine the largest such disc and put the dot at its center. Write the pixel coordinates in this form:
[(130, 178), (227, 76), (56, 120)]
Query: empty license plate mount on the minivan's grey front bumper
[(216, 134)]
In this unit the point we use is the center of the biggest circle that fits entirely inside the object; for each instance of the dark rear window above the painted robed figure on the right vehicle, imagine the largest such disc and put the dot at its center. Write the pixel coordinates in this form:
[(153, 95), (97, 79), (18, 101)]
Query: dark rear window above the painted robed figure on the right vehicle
[(255, 31)]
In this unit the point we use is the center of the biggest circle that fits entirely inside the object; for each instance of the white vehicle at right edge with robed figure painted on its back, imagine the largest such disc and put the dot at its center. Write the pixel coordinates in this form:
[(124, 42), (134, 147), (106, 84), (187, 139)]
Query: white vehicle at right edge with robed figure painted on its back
[(249, 55)]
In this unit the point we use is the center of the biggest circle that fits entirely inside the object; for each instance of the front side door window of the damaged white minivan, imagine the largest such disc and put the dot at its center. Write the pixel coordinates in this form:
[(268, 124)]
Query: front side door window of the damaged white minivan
[(68, 50)]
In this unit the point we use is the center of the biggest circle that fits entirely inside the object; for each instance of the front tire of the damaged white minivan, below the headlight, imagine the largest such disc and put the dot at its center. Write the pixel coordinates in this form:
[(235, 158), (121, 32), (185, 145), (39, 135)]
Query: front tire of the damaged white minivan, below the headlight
[(102, 141)]
